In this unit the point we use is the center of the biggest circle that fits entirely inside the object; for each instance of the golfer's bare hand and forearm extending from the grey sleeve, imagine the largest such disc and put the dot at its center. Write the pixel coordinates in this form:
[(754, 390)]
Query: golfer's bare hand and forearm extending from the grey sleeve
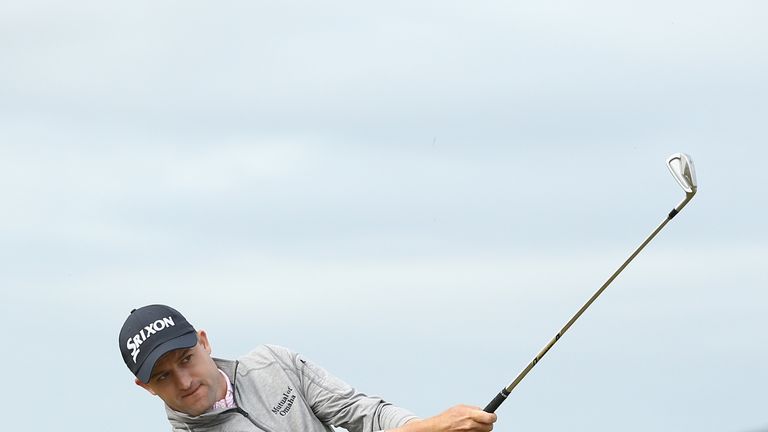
[(459, 418)]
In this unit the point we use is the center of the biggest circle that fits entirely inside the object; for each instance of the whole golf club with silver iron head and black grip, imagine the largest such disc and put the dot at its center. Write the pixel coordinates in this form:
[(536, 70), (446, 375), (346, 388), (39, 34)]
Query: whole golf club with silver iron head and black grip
[(681, 166)]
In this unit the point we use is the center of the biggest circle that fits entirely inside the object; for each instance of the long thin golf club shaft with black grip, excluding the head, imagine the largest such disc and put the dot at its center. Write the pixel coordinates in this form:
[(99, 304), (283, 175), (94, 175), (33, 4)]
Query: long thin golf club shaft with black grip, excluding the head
[(502, 396)]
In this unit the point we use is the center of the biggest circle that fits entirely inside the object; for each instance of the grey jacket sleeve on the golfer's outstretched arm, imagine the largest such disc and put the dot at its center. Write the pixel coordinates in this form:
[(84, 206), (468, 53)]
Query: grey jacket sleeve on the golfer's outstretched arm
[(337, 403)]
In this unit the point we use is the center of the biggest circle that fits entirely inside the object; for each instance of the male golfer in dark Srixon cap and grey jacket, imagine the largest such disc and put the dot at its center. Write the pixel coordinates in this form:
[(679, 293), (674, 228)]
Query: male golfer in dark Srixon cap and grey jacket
[(270, 389)]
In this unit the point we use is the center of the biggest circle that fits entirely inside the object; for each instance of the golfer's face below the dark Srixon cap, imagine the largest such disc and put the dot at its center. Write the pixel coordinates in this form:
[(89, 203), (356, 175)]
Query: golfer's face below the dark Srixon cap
[(187, 380)]
